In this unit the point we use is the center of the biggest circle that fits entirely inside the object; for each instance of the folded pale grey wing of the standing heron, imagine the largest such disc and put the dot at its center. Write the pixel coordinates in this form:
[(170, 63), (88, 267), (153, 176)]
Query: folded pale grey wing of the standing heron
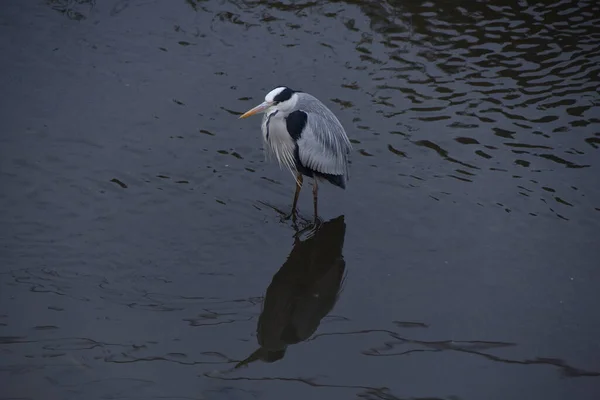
[(324, 146)]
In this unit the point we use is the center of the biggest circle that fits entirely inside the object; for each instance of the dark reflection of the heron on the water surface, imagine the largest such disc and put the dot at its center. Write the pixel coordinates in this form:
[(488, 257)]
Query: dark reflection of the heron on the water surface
[(302, 292)]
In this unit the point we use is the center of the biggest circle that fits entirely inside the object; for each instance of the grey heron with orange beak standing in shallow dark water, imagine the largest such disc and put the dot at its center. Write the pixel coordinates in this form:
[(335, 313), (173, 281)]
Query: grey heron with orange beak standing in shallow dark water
[(305, 137)]
